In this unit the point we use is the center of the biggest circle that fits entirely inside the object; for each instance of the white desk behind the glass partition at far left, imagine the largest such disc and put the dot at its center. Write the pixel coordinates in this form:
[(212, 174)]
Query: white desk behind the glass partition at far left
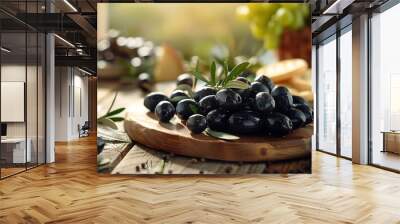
[(17, 147)]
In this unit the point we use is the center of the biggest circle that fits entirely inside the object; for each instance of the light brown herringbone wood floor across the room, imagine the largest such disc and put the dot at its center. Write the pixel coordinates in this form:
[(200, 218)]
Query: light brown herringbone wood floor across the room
[(70, 191)]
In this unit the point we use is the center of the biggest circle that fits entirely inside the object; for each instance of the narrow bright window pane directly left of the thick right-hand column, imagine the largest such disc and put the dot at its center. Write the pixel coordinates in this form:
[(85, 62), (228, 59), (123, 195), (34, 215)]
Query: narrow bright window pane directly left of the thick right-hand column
[(346, 94)]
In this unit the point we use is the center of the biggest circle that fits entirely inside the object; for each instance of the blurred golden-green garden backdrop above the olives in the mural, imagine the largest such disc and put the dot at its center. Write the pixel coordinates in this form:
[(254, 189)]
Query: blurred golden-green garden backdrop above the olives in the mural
[(164, 40)]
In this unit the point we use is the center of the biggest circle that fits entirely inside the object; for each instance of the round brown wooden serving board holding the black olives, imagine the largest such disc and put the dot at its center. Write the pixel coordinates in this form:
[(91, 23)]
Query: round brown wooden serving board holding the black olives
[(174, 137)]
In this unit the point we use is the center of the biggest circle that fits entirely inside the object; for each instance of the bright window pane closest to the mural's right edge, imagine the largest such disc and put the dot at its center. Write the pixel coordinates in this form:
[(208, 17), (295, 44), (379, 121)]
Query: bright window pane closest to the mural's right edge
[(327, 96)]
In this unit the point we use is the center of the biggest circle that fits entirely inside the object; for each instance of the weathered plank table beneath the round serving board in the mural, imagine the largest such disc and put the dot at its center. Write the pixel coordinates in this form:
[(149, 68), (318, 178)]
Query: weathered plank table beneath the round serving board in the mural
[(126, 157)]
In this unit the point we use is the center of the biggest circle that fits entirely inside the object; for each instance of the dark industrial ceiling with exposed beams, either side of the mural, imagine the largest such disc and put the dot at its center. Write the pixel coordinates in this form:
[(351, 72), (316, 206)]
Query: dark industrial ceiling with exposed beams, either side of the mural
[(76, 22)]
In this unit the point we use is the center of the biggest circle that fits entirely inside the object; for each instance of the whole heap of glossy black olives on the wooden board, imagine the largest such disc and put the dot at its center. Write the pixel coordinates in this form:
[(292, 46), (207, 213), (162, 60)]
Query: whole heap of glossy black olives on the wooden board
[(262, 109)]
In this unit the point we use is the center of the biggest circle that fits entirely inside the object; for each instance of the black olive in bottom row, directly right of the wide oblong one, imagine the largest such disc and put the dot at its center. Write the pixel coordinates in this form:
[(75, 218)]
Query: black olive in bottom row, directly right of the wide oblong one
[(278, 124)]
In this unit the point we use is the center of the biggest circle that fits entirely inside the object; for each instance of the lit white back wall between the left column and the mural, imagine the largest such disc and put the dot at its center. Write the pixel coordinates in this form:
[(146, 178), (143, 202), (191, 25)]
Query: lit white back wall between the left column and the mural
[(70, 83)]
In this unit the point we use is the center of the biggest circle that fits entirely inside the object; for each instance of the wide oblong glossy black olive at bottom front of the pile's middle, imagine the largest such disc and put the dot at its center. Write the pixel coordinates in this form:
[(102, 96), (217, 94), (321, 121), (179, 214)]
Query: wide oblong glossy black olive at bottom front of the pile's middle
[(244, 122)]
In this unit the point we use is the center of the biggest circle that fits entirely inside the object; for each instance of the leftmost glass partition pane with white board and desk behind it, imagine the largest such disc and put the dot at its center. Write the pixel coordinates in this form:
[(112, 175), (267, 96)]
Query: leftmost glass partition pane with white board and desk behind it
[(15, 151)]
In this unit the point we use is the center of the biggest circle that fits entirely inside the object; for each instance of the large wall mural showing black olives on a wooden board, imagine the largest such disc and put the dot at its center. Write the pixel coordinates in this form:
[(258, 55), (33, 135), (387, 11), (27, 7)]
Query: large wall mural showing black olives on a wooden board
[(194, 89)]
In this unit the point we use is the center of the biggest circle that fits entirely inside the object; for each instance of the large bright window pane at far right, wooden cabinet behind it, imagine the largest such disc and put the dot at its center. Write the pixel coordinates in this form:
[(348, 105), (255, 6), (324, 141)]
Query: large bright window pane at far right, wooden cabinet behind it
[(385, 84)]
